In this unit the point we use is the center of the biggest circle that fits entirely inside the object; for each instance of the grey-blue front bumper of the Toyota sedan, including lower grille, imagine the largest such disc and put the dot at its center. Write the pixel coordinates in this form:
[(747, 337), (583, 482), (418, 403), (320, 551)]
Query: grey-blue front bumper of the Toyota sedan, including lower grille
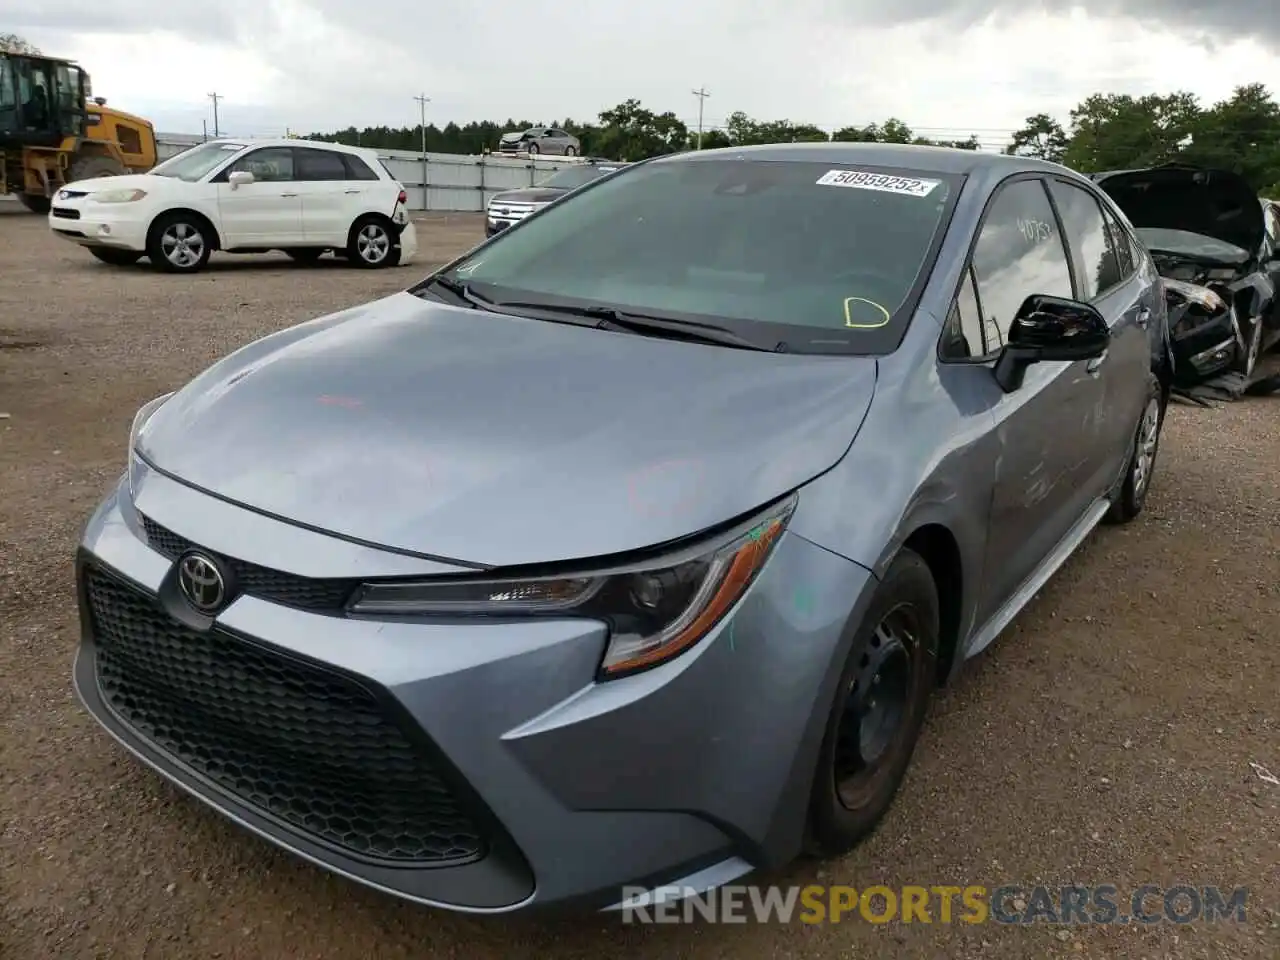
[(515, 778)]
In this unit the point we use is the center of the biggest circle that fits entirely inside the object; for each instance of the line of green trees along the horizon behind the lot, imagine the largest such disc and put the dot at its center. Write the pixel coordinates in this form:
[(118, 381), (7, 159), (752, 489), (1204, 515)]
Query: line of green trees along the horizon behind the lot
[(1104, 132)]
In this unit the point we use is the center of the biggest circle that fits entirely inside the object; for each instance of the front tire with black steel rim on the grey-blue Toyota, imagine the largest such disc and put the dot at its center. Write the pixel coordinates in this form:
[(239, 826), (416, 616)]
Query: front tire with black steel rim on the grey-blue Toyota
[(879, 712)]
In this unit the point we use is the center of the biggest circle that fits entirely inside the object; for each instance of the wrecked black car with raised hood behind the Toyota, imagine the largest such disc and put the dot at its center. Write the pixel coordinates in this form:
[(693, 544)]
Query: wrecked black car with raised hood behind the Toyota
[(1208, 232)]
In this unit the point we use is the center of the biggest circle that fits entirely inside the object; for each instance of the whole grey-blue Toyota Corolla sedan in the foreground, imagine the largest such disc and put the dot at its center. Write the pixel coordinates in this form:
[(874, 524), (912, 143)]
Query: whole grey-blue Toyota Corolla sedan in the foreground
[(629, 548)]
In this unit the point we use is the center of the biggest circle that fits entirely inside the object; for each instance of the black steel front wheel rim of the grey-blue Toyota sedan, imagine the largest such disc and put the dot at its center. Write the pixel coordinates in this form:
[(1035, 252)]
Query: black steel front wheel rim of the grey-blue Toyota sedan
[(877, 707)]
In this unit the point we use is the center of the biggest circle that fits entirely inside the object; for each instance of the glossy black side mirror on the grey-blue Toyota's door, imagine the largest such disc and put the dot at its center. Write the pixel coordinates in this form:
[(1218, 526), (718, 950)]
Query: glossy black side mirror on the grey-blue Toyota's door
[(1050, 330)]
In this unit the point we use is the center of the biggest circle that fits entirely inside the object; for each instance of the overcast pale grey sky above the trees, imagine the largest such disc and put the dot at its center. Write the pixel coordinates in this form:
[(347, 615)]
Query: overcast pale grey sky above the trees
[(947, 68)]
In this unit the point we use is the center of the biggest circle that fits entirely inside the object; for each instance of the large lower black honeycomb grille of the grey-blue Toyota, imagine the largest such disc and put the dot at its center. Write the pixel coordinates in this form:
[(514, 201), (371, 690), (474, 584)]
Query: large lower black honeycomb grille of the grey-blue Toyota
[(310, 747)]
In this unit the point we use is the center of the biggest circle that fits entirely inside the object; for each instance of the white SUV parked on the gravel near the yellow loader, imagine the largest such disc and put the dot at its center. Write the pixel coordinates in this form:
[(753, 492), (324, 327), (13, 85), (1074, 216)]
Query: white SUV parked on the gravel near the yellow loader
[(300, 196)]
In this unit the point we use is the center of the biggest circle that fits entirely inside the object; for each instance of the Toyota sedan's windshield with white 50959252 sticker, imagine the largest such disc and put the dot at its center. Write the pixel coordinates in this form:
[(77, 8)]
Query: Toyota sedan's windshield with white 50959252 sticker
[(828, 257)]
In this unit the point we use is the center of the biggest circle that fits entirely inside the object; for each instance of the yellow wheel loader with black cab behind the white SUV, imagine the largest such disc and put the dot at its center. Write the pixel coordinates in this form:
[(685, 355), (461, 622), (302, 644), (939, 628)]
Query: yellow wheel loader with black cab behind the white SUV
[(53, 134)]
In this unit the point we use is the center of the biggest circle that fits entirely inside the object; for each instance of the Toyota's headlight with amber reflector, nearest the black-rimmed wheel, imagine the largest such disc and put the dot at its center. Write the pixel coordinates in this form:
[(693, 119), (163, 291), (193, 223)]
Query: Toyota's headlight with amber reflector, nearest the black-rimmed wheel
[(655, 611)]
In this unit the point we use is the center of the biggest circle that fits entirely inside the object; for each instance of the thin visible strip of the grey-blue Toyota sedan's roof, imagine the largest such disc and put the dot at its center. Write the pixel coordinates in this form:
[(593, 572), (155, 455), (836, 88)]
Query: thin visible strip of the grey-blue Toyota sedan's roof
[(945, 161)]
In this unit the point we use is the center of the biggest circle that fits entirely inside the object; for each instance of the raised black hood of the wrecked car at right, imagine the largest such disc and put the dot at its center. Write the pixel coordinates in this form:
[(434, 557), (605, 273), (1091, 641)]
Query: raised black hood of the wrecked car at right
[(1210, 203)]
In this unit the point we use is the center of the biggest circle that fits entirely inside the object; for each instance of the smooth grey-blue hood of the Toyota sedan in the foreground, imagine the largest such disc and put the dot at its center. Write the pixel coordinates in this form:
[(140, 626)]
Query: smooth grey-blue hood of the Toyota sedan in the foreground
[(496, 441)]
